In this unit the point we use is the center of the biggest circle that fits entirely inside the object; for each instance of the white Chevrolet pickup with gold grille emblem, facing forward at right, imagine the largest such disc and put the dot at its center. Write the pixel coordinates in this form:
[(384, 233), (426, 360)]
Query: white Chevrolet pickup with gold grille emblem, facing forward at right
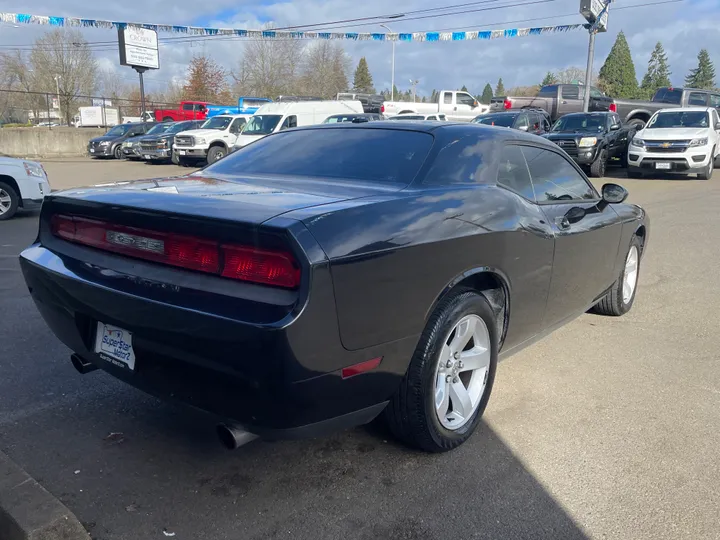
[(681, 141)]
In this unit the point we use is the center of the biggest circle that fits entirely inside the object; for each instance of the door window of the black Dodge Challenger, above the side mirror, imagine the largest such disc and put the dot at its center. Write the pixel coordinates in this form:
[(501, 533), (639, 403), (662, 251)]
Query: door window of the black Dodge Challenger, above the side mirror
[(555, 179)]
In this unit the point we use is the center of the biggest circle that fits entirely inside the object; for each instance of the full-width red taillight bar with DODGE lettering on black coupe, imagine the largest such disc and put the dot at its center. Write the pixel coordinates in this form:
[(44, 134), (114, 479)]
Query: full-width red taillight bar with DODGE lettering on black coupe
[(245, 263)]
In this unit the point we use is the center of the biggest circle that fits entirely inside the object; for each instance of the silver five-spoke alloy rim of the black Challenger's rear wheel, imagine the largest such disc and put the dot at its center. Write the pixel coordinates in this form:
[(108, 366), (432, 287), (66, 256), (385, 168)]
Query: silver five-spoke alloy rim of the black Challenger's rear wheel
[(462, 372)]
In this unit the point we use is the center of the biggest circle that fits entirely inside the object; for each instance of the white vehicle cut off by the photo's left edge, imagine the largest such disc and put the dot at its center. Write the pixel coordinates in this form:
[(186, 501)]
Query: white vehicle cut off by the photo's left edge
[(23, 184)]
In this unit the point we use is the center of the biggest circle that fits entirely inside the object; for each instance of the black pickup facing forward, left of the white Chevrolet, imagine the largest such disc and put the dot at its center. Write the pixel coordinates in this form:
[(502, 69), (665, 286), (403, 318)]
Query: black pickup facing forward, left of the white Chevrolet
[(592, 139)]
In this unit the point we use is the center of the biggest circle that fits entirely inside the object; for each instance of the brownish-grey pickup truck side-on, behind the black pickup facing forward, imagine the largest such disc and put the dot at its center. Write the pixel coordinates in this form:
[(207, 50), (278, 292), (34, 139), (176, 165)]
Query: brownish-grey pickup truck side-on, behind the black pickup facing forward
[(557, 99)]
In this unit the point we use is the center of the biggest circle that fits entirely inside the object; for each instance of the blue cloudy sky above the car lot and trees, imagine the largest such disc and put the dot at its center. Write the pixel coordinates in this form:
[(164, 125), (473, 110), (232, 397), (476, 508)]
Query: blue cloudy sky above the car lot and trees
[(683, 27)]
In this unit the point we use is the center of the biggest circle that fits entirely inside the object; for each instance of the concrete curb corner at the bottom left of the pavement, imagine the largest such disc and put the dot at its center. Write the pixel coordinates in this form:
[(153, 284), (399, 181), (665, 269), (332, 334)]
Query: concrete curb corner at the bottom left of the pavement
[(29, 512)]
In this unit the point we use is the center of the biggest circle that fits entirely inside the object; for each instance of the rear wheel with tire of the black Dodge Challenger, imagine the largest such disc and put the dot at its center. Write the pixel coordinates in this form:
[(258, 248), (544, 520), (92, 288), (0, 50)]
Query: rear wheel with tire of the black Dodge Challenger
[(450, 377)]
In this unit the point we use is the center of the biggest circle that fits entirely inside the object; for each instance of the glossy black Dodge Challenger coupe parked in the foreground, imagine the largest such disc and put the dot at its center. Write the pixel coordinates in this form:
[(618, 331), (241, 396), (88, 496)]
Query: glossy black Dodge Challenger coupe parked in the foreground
[(322, 276)]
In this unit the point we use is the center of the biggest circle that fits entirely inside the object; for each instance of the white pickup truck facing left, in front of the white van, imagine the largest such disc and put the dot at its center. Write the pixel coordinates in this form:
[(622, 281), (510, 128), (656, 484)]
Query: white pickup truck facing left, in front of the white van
[(213, 141)]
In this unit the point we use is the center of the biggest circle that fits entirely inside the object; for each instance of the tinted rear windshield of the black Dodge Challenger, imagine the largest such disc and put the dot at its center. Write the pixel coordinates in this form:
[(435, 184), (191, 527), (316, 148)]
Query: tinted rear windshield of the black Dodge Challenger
[(333, 153)]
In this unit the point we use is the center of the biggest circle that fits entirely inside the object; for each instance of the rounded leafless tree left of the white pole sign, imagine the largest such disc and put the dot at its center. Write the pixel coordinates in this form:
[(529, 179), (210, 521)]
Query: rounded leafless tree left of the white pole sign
[(64, 54)]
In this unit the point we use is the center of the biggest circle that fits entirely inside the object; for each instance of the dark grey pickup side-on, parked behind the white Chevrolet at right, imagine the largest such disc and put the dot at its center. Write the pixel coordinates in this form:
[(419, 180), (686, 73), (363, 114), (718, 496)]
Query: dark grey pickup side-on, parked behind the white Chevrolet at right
[(638, 112)]
